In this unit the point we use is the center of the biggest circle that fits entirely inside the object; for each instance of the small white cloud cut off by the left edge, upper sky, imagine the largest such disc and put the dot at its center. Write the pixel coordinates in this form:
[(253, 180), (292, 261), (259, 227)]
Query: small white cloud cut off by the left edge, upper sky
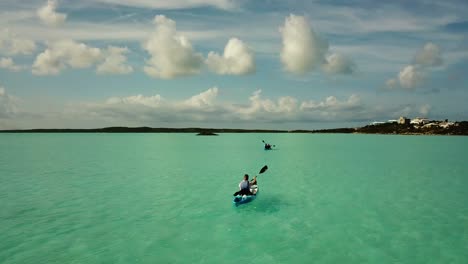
[(11, 44)]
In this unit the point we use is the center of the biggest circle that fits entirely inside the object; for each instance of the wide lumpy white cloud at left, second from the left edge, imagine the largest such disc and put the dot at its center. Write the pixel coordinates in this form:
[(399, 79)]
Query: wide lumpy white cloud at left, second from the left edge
[(65, 53)]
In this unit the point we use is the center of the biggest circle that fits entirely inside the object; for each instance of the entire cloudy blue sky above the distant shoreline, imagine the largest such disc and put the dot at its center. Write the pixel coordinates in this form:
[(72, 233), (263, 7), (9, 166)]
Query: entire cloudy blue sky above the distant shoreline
[(237, 64)]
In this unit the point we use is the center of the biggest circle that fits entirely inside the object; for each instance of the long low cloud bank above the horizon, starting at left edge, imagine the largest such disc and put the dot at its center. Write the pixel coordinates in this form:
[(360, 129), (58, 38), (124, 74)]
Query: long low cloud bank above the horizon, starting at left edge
[(204, 109)]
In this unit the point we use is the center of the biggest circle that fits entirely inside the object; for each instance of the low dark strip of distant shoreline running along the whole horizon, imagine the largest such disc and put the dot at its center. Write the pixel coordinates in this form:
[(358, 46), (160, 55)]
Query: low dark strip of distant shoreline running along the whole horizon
[(460, 128)]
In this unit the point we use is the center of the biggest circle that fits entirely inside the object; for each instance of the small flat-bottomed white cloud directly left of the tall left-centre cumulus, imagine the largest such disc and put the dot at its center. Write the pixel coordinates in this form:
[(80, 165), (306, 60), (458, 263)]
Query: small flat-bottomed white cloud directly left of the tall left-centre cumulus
[(115, 62)]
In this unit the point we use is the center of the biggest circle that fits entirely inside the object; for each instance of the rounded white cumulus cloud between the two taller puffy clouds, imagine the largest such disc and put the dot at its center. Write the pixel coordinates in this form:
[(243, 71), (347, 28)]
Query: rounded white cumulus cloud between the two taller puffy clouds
[(237, 59)]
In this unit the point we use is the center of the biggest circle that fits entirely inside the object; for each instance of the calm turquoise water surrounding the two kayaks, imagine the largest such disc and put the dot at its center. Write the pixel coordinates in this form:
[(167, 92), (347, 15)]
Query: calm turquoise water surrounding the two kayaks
[(166, 198)]
